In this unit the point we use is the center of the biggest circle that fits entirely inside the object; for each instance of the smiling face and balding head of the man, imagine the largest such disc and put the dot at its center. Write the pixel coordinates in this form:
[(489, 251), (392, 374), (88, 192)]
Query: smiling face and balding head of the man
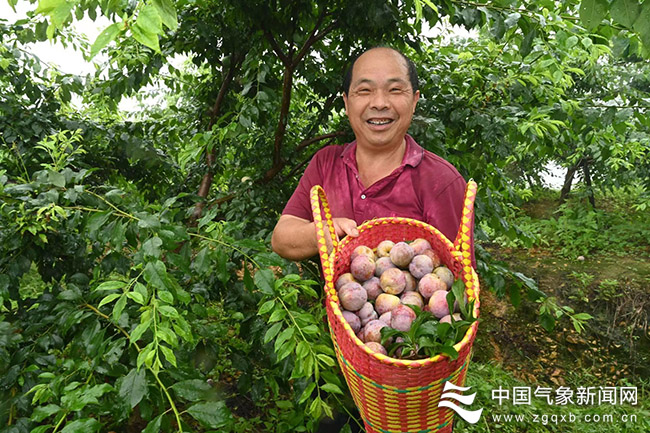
[(380, 102)]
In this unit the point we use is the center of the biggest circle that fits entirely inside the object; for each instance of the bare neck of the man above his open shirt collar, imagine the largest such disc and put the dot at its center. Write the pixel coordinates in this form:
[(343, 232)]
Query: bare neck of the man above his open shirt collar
[(374, 164)]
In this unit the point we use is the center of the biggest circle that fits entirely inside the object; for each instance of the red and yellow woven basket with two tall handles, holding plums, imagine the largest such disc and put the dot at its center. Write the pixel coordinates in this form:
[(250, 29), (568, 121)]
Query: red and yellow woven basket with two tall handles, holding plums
[(395, 395)]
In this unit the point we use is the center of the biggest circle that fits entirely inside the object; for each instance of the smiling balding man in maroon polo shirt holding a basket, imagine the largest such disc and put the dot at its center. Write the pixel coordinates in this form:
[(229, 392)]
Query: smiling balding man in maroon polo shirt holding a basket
[(384, 172)]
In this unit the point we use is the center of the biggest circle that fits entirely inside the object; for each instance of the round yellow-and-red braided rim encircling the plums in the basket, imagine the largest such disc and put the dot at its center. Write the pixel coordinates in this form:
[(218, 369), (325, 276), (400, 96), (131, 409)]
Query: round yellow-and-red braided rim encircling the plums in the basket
[(332, 297)]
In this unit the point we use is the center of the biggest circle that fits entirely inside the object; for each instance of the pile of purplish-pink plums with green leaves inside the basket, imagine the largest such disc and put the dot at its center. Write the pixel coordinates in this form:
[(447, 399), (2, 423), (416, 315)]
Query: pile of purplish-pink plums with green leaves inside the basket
[(397, 286)]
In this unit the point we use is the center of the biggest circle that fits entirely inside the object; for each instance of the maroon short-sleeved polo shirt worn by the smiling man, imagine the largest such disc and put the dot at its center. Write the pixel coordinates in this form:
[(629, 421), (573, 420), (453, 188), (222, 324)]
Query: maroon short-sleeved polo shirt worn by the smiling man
[(424, 187)]
